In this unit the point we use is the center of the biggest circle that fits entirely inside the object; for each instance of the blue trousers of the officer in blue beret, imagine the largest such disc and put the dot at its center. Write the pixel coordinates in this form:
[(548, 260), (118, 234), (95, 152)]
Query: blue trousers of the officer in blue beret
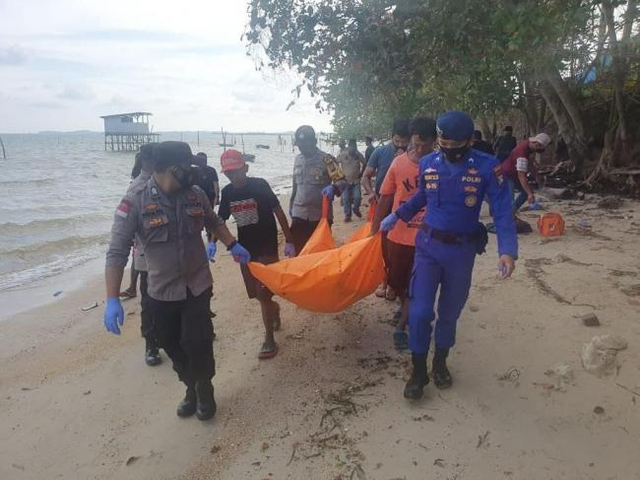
[(448, 267)]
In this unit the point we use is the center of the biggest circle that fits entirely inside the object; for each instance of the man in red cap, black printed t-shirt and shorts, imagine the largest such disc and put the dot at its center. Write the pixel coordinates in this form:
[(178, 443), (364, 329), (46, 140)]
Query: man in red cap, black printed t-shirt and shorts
[(255, 208)]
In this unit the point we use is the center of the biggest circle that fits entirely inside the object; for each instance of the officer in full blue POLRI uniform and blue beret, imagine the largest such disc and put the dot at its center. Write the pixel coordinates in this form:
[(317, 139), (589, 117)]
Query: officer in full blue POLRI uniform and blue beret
[(453, 183)]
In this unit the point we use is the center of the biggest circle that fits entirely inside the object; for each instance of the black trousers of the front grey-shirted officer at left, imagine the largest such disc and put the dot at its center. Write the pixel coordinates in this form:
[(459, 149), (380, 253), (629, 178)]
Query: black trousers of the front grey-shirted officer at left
[(183, 329)]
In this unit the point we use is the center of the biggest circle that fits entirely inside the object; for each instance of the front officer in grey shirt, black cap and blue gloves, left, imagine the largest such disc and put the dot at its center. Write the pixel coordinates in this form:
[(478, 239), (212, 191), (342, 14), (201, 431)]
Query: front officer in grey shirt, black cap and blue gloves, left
[(168, 215)]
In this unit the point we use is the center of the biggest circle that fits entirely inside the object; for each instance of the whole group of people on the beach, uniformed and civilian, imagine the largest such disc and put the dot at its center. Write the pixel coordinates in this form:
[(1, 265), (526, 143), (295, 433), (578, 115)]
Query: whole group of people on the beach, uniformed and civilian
[(427, 184)]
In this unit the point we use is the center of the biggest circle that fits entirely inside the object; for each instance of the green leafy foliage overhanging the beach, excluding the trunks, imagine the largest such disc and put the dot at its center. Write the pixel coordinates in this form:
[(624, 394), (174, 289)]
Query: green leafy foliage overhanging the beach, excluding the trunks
[(373, 60)]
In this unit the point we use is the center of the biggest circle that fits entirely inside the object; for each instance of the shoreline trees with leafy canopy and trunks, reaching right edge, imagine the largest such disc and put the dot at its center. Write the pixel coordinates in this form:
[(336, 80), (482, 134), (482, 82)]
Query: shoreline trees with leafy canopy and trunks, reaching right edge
[(566, 66)]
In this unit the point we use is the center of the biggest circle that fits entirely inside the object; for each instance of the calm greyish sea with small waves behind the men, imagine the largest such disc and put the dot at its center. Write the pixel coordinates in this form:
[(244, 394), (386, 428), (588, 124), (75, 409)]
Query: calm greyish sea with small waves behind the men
[(58, 193)]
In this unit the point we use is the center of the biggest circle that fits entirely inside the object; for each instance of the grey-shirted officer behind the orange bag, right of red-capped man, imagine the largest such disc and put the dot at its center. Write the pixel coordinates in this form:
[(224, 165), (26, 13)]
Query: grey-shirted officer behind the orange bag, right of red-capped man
[(315, 174)]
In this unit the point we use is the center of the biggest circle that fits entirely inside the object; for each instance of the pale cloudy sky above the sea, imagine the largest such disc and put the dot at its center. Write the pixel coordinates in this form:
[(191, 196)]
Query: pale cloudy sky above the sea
[(63, 63)]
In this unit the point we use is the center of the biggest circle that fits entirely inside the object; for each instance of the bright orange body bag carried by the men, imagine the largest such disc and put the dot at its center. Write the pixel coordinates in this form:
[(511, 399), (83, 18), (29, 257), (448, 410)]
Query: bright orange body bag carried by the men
[(326, 280)]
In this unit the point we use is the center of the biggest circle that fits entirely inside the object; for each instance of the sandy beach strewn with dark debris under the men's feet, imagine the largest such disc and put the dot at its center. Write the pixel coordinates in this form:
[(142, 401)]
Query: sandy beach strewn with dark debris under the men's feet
[(79, 403)]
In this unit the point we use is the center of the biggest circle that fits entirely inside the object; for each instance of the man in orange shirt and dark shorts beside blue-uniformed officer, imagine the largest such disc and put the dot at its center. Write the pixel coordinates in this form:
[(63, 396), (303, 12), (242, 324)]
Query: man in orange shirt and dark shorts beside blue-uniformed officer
[(399, 185)]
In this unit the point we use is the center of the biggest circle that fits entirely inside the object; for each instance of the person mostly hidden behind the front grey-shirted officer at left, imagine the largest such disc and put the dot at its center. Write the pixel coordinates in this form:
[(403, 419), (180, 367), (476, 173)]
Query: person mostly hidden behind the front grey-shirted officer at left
[(144, 158)]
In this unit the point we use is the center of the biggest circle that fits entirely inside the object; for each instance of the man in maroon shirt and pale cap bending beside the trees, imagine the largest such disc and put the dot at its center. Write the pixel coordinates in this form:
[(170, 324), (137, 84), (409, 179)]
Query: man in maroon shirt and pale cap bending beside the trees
[(519, 162)]
